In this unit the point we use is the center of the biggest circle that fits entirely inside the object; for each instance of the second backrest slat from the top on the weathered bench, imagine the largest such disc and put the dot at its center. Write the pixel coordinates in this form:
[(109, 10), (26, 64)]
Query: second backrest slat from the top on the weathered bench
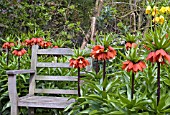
[(48, 64)]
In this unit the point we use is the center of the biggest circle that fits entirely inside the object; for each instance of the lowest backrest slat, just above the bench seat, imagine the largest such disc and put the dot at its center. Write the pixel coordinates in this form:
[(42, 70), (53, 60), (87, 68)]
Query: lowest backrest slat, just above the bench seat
[(55, 91)]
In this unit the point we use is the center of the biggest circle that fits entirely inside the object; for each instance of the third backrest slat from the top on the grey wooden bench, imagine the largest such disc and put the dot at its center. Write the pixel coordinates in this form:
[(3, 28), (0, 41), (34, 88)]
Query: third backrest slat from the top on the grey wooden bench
[(57, 78)]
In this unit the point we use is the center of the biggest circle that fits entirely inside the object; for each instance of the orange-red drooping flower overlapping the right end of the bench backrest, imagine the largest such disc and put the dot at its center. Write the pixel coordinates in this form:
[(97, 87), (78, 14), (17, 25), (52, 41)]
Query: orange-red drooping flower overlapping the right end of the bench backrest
[(80, 62)]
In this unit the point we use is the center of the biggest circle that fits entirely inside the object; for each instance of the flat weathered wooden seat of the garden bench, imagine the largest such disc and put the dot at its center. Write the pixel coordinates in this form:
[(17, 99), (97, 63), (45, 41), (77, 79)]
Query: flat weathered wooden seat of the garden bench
[(45, 102)]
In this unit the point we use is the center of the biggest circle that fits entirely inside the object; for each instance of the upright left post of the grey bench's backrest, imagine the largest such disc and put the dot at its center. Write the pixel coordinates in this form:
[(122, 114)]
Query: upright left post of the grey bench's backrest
[(33, 66)]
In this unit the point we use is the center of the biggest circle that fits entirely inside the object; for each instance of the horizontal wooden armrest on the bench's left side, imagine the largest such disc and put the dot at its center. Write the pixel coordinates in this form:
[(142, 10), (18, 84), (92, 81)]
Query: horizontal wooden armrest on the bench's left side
[(14, 72)]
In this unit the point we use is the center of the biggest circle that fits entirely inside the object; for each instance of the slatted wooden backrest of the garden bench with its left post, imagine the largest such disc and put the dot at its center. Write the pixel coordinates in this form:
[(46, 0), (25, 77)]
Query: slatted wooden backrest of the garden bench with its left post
[(35, 64)]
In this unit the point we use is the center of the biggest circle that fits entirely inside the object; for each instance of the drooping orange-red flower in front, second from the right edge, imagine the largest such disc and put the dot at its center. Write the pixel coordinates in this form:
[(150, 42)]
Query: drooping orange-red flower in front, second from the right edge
[(134, 67)]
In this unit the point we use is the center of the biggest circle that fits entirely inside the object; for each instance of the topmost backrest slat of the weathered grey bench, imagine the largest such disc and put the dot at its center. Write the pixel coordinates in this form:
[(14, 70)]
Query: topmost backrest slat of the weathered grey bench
[(56, 51)]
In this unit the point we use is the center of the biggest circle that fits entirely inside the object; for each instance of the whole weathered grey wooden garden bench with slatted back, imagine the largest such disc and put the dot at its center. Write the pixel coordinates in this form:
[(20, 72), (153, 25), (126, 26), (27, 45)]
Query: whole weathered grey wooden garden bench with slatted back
[(31, 100)]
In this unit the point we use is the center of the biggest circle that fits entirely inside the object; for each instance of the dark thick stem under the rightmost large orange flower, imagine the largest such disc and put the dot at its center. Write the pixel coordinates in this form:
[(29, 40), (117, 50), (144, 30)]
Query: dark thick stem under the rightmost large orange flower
[(158, 83)]
